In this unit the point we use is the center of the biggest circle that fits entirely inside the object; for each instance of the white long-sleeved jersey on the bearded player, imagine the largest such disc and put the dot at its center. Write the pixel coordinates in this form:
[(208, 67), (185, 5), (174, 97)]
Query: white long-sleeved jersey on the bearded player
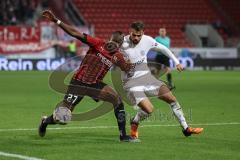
[(137, 54)]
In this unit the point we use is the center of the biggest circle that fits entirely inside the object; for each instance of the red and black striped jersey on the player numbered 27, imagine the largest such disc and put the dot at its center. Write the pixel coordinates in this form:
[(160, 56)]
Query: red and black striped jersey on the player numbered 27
[(98, 61)]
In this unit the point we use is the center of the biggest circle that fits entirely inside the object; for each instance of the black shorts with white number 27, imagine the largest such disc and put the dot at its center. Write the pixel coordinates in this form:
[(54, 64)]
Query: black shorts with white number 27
[(77, 90)]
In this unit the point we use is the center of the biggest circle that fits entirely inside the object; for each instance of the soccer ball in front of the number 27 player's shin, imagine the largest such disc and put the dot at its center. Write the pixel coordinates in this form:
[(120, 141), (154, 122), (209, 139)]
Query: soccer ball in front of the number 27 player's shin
[(62, 115)]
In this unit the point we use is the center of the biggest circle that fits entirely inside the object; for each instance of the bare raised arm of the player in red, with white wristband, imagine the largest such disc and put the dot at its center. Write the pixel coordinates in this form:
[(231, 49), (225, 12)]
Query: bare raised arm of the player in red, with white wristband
[(67, 28)]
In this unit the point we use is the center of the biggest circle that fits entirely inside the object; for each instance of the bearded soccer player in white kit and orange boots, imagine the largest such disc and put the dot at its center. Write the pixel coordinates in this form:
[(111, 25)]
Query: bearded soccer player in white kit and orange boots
[(140, 84)]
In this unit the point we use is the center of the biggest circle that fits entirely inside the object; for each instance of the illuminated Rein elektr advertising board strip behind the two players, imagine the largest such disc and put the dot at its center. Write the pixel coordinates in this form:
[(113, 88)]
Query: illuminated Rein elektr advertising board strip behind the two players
[(49, 64)]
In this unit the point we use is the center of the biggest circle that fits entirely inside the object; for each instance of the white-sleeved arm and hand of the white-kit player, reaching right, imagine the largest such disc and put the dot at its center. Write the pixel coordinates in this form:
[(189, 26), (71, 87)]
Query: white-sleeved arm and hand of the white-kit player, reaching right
[(161, 48)]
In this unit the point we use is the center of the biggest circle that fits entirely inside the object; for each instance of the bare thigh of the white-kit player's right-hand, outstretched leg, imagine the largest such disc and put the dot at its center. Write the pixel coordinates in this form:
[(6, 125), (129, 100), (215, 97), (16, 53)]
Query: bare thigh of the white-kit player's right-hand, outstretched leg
[(166, 95)]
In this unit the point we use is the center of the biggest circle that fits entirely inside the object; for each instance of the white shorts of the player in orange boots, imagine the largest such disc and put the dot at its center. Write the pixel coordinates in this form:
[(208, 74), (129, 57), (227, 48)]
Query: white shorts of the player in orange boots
[(142, 87)]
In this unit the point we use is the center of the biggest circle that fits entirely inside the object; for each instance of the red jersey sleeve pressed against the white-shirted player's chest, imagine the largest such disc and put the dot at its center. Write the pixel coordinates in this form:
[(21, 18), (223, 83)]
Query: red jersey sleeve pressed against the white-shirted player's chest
[(120, 61)]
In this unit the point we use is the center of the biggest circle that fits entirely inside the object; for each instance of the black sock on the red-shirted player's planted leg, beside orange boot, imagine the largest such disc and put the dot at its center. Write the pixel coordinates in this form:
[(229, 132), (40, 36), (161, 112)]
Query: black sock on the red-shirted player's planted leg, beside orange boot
[(121, 118)]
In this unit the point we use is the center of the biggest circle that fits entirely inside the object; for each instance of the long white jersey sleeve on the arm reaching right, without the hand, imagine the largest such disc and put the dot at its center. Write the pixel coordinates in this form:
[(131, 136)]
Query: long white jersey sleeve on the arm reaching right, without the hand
[(161, 48)]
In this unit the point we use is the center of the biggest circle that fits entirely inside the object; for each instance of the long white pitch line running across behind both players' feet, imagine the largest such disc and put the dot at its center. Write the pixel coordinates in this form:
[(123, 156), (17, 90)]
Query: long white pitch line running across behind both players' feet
[(106, 127)]
